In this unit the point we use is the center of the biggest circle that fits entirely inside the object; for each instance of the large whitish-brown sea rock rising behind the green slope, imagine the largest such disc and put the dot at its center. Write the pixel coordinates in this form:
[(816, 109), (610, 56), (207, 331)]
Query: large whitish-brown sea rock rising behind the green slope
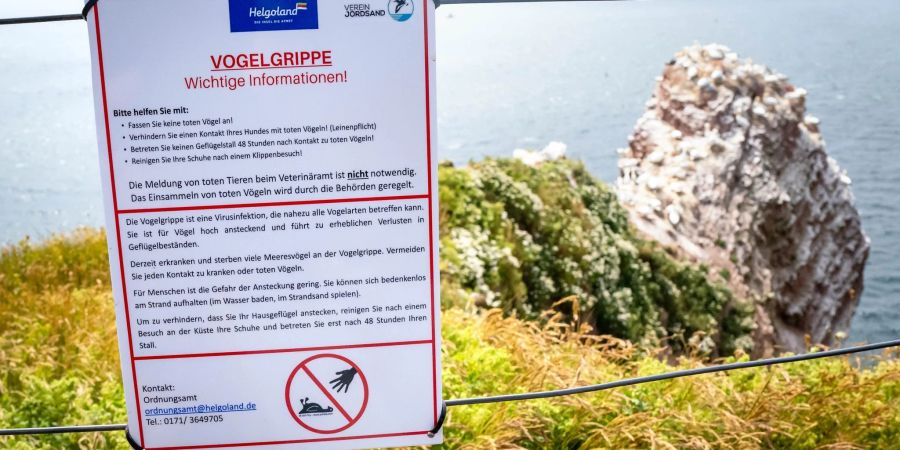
[(745, 186)]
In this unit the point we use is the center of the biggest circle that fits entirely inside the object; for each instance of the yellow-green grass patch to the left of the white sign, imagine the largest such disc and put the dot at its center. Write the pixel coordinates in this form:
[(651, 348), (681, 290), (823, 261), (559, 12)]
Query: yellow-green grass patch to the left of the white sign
[(58, 354)]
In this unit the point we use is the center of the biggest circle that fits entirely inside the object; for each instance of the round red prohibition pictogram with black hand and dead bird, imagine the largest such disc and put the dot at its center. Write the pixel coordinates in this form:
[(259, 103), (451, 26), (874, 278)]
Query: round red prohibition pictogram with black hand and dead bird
[(326, 409)]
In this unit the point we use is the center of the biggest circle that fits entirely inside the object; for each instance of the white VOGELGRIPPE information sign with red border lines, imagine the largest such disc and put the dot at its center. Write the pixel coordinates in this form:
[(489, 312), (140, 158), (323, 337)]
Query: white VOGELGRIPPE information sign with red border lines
[(271, 206)]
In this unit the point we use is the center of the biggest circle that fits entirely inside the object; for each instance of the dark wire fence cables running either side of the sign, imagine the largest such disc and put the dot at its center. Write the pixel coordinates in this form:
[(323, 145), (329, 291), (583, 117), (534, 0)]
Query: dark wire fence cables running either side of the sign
[(474, 400)]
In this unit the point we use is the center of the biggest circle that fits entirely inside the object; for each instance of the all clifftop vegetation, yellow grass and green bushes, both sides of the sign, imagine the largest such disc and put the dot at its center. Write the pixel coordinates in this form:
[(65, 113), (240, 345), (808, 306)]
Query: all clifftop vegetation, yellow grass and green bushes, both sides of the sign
[(548, 257)]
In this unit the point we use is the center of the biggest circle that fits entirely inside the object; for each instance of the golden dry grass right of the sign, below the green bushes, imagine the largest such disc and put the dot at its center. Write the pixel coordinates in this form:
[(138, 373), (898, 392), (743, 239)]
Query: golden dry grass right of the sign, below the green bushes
[(808, 405)]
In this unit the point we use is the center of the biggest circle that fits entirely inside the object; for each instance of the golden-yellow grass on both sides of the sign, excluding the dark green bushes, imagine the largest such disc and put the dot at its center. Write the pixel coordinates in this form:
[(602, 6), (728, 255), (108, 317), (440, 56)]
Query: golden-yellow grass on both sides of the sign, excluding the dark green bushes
[(59, 365)]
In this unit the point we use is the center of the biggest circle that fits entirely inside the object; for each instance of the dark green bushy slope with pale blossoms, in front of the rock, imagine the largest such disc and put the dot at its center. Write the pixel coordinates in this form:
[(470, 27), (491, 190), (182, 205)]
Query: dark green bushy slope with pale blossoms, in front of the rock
[(520, 238)]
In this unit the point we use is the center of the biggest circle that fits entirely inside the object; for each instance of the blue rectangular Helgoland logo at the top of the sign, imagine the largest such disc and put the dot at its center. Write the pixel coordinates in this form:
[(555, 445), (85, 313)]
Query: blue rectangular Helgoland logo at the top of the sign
[(272, 15)]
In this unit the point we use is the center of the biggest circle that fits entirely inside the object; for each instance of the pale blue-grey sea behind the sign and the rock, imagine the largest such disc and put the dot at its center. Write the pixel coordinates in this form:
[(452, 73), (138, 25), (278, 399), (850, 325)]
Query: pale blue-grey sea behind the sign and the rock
[(518, 76)]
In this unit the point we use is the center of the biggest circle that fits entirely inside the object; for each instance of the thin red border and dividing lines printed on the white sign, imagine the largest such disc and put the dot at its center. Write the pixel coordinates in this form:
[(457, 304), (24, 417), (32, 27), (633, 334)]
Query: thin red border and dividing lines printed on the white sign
[(117, 212)]
